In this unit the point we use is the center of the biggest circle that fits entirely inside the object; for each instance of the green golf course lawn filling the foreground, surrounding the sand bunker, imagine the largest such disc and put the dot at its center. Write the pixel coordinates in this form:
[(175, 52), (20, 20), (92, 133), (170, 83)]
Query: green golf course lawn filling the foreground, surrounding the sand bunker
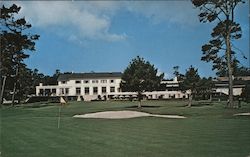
[(209, 131)]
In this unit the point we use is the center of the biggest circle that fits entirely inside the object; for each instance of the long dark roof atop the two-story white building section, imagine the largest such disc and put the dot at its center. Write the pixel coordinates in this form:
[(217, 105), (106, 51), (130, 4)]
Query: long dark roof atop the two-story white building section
[(92, 75)]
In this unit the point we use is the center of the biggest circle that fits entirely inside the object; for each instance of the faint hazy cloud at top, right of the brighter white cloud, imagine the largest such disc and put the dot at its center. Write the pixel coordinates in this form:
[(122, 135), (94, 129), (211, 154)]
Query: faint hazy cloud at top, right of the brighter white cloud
[(173, 12)]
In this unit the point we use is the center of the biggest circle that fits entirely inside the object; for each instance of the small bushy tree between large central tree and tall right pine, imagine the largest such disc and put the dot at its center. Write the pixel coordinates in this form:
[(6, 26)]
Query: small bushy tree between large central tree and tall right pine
[(190, 82)]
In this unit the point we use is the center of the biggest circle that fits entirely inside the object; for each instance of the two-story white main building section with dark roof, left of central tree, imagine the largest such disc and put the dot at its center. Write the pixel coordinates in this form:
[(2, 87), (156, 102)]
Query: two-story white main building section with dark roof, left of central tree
[(87, 85)]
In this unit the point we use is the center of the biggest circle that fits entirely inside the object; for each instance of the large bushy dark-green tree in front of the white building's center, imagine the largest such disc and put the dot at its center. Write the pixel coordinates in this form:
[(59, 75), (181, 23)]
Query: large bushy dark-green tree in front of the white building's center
[(140, 76)]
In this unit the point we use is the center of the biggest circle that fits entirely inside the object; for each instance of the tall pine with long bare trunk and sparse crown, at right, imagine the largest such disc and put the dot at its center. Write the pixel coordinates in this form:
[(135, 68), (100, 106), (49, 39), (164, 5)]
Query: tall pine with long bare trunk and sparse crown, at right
[(223, 34)]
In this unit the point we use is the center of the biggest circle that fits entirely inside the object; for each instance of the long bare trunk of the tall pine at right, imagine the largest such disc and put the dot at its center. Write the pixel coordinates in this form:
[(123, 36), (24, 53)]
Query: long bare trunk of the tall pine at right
[(230, 72)]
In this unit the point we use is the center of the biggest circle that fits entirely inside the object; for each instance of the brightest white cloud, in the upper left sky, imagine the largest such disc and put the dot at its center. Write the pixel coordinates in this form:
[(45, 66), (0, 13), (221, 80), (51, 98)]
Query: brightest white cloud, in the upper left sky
[(78, 17)]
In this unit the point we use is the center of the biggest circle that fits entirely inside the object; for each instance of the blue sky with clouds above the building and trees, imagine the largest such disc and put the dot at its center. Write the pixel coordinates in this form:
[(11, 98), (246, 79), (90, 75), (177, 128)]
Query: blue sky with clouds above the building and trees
[(84, 36)]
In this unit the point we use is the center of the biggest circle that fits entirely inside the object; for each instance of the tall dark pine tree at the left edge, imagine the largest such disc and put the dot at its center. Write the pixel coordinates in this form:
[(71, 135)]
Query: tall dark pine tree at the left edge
[(14, 42)]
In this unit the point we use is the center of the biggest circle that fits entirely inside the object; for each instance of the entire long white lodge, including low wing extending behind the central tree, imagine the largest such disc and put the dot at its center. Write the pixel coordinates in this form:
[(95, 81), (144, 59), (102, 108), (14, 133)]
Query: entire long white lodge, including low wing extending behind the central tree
[(92, 86)]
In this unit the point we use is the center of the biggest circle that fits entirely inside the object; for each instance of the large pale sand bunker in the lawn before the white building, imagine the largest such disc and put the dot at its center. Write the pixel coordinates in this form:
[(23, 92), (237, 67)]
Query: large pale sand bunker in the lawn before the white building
[(123, 115)]
